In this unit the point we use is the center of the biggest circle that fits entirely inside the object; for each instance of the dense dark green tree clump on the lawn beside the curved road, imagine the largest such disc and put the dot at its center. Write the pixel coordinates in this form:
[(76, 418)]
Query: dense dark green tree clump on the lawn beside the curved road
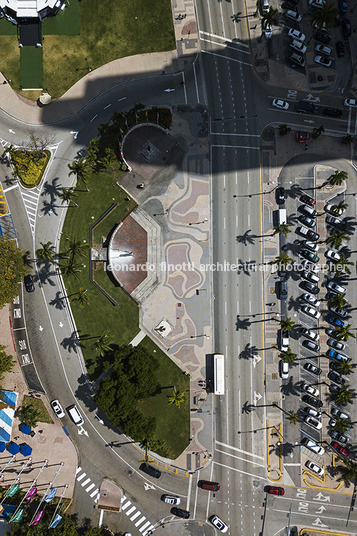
[(132, 378)]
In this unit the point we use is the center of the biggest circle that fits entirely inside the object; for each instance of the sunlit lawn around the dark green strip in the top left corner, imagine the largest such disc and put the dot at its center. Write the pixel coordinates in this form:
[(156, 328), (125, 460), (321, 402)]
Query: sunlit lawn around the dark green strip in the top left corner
[(108, 30)]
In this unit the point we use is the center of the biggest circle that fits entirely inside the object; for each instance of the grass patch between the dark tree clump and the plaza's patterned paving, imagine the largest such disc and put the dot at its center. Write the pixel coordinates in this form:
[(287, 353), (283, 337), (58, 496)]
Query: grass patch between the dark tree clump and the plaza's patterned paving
[(172, 423)]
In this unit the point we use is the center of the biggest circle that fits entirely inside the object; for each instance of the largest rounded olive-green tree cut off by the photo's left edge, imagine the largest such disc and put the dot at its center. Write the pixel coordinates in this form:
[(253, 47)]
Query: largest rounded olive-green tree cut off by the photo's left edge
[(13, 269)]
